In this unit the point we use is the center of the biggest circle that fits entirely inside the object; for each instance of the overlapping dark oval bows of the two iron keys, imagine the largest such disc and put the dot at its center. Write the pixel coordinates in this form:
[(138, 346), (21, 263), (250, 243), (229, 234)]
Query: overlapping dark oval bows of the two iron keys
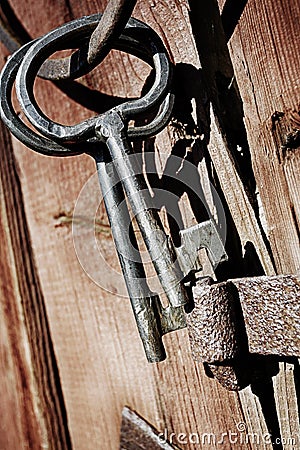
[(58, 140)]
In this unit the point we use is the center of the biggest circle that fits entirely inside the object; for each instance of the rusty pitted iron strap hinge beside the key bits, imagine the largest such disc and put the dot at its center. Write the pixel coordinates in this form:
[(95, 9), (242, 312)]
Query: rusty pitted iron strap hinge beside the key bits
[(259, 315)]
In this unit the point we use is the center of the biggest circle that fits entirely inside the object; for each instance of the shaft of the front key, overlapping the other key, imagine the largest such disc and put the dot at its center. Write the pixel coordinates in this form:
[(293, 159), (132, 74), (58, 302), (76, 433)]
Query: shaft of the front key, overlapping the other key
[(112, 130)]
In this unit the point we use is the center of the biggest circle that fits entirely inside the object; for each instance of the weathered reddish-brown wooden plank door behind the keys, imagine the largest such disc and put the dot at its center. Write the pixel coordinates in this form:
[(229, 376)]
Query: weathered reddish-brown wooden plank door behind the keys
[(71, 357)]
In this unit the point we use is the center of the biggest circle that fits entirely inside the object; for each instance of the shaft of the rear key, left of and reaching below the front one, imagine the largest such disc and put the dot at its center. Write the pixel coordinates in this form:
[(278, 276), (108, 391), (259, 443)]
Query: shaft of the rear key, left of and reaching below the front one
[(142, 300)]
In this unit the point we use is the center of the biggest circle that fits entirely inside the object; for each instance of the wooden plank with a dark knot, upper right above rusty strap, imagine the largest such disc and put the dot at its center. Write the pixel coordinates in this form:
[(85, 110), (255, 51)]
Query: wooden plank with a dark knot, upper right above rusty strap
[(265, 58)]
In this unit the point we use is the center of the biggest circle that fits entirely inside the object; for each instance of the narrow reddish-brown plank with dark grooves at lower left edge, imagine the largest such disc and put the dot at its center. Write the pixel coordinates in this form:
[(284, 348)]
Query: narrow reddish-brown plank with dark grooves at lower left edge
[(32, 411)]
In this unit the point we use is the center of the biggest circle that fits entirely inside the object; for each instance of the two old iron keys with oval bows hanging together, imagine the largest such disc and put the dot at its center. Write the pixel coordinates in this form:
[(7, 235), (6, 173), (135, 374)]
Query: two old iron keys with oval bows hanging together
[(107, 138)]
